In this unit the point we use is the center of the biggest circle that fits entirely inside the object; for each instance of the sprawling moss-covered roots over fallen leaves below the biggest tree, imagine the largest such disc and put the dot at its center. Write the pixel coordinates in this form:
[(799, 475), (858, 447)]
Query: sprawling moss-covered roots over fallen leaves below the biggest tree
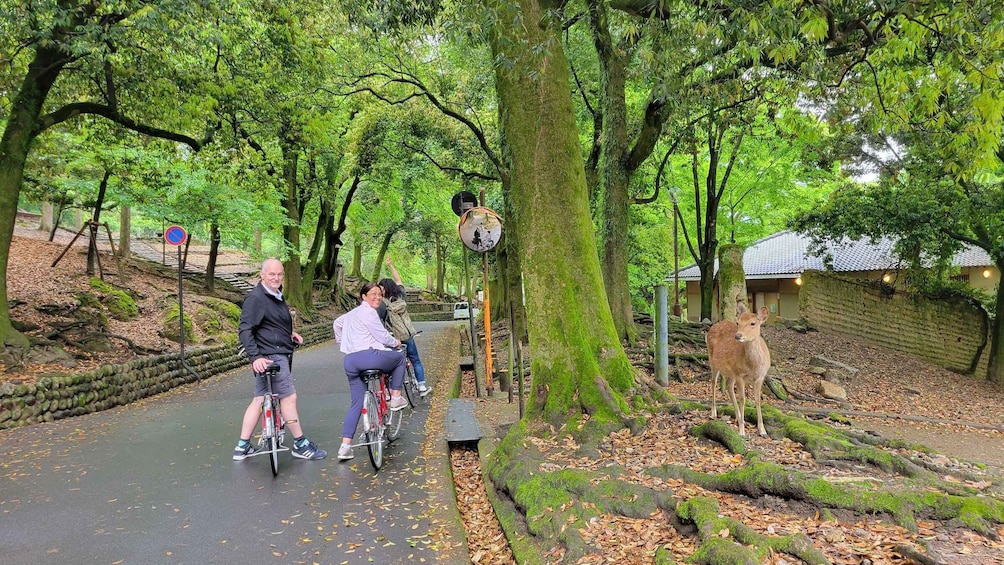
[(551, 504)]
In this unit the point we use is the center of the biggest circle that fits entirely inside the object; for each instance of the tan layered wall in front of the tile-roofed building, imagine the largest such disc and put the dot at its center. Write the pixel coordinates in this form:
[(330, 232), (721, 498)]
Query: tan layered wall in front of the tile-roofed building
[(952, 333)]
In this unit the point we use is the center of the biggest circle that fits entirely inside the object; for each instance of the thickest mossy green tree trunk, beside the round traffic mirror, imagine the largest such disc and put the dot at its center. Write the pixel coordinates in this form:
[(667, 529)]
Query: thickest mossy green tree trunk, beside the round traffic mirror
[(578, 362)]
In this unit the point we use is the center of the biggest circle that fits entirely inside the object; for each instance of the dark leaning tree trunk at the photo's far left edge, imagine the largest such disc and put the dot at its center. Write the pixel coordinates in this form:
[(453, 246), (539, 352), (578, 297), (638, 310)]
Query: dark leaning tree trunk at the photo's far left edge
[(21, 131)]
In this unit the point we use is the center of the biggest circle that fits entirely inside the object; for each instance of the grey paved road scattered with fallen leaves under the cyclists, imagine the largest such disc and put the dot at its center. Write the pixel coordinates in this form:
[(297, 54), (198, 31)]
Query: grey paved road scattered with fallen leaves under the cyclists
[(155, 483)]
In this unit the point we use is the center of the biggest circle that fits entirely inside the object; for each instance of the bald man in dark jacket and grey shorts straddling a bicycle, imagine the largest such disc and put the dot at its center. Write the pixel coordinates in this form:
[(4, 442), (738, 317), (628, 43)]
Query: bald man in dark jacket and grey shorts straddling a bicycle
[(267, 332)]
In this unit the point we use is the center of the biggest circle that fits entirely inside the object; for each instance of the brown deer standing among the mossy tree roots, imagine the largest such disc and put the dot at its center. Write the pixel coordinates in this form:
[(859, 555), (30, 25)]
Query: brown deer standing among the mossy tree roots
[(738, 354)]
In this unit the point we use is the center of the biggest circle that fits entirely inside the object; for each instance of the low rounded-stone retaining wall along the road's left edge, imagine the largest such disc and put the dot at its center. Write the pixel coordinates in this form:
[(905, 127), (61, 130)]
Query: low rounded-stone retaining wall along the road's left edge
[(56, 397)]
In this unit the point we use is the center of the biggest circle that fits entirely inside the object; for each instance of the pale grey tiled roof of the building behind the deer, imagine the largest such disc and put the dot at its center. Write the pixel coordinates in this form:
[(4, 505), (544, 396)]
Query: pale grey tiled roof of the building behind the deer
[(785, 255)]
